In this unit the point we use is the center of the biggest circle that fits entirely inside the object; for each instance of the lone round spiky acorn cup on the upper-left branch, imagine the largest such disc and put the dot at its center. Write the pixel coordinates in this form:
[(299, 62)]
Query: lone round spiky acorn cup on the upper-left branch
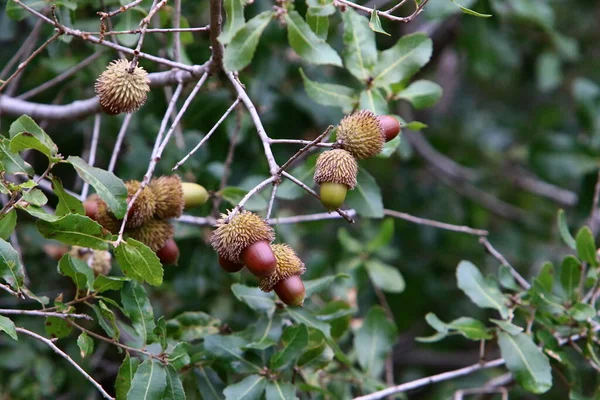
[(120, 90)]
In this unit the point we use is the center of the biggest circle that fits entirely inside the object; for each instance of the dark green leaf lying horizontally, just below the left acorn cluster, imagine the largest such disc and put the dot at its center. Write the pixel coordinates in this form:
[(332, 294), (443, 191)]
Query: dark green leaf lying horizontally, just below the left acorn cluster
[(76, 230)]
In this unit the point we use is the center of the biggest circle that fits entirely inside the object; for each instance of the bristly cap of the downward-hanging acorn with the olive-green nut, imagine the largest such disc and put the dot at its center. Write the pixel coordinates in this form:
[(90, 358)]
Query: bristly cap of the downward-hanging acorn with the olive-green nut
[(336, 166)]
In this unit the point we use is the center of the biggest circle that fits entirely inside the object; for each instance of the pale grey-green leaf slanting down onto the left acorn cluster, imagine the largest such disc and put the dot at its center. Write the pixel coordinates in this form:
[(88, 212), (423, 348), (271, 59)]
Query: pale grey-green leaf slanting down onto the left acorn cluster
[(110, 188)]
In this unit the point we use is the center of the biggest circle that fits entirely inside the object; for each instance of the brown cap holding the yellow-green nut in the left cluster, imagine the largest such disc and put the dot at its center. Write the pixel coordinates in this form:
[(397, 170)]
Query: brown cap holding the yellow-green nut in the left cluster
[(168, 196)]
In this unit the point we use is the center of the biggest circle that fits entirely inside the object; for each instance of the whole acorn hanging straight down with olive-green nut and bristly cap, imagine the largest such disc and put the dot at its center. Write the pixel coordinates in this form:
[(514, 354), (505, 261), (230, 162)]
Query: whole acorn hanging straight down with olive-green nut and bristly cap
[(335, 172)]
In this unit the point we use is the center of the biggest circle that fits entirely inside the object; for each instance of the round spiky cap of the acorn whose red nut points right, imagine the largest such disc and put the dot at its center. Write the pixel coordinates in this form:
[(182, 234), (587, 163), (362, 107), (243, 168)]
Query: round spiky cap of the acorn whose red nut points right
[(361, 134)]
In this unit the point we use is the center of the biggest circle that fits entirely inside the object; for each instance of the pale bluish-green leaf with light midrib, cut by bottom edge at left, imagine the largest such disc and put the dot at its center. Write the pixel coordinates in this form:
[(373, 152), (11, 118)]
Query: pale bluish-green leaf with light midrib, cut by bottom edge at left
[(149, 381)]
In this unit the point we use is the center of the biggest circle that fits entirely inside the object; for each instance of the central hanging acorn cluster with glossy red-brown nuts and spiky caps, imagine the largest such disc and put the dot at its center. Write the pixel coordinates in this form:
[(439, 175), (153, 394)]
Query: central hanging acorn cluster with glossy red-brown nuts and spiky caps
[(243, 238)]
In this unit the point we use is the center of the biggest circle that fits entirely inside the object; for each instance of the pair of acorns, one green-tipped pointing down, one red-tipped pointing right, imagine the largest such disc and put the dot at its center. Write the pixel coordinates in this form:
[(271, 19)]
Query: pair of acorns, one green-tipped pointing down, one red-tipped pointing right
[(359, 135)]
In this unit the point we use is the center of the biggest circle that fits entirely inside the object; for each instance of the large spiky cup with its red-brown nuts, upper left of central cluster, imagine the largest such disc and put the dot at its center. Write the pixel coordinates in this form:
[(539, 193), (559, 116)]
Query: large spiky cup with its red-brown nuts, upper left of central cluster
[(244, 238)]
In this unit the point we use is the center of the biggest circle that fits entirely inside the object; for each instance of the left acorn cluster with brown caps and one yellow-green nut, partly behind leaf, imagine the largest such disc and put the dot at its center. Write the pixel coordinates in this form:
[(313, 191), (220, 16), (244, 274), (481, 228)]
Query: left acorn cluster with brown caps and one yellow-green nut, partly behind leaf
[(148, 218)]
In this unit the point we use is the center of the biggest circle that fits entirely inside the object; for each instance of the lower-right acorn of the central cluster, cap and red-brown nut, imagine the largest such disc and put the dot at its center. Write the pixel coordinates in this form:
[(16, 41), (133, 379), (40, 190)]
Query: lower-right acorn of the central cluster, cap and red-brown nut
[(286, 278)]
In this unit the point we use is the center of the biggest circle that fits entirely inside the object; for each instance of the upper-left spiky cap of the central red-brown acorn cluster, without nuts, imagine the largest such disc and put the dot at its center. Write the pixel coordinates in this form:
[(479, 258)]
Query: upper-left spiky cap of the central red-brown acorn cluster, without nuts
[(243, 229)]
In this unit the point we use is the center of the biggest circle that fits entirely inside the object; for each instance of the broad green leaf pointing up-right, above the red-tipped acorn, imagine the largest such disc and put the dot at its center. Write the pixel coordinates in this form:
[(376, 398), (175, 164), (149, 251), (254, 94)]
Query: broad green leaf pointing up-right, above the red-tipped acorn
[(403, 60)]
